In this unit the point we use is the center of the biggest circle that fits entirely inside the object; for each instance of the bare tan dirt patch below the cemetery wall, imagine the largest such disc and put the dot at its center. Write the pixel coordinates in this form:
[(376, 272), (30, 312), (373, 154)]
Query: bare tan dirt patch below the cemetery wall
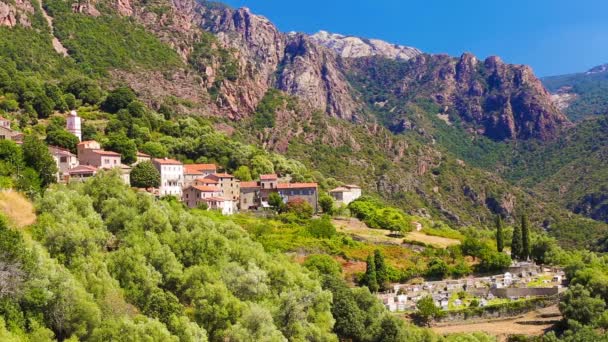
[(534, 323)]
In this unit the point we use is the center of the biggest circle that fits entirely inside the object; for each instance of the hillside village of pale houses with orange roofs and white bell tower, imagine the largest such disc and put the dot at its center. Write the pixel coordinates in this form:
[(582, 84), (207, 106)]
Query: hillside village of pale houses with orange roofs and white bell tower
[(196, 185)]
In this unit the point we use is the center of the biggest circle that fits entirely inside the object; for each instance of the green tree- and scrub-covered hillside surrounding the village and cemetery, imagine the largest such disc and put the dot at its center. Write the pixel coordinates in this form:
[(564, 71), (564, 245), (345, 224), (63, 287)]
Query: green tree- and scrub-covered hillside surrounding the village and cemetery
[(103, 262)]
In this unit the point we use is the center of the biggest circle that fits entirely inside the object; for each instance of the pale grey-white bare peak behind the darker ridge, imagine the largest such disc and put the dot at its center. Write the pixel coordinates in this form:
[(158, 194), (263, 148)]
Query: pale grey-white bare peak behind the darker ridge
[(354, 47)]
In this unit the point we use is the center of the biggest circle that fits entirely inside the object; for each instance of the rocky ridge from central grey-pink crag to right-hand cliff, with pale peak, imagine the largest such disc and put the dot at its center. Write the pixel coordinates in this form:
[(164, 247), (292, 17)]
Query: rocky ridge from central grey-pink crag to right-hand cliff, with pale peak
[(498, 100)]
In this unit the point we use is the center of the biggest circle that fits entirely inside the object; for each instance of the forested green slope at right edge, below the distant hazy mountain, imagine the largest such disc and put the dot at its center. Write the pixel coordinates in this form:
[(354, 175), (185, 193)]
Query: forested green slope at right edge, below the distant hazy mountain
[(572, 169)]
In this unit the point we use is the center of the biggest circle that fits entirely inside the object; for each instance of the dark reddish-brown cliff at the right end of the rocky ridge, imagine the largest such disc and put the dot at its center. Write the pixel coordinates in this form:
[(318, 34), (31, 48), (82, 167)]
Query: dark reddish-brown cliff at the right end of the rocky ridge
[(499, 100)]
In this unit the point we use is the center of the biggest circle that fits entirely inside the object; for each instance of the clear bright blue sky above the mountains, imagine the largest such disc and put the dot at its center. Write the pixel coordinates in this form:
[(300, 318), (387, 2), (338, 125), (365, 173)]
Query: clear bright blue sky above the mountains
[(553, 36)]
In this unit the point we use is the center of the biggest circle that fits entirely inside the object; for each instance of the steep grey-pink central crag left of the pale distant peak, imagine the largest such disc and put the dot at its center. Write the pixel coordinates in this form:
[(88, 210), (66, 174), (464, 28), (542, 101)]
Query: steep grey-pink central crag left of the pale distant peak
[(293, 63)]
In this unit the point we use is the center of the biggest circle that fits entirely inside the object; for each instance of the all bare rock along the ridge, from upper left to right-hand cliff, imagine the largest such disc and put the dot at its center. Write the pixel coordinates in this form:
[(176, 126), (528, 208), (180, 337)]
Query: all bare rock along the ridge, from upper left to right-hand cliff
[(251, 56)]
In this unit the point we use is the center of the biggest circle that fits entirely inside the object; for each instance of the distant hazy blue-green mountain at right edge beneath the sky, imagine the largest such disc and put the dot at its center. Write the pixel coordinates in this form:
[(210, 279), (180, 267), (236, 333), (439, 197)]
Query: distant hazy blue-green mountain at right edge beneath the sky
[(581, 95)]
